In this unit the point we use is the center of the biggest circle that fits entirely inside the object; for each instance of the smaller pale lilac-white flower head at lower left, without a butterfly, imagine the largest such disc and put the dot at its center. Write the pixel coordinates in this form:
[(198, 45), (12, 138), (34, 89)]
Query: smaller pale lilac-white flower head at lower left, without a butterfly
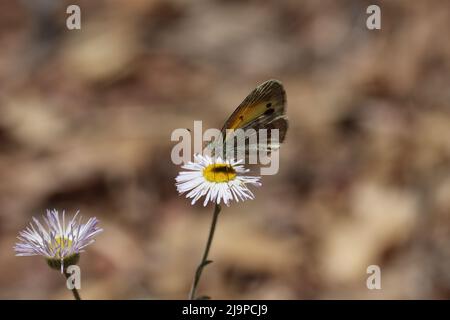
[(58, 242)]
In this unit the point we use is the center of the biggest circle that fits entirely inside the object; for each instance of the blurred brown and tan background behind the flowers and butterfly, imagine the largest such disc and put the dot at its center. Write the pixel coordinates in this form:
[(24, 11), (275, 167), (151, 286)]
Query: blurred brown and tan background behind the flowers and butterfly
[(86, 118)]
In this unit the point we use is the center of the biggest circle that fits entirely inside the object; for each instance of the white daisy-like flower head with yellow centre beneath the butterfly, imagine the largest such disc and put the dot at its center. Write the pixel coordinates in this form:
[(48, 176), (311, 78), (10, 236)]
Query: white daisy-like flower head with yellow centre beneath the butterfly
[(217, 179)]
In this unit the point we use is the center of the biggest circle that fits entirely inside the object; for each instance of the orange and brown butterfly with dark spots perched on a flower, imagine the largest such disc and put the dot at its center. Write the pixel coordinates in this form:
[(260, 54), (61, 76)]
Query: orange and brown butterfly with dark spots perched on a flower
[(263, 108)]
